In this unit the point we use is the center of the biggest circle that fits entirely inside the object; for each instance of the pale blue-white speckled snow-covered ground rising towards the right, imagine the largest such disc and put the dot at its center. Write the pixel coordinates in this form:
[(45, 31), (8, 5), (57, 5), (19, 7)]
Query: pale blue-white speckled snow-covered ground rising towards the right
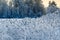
[(45, 28)]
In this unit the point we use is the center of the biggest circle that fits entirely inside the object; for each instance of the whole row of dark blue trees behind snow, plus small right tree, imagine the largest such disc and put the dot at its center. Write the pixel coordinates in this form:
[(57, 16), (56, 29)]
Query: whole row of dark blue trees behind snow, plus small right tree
[(24, 8)]
